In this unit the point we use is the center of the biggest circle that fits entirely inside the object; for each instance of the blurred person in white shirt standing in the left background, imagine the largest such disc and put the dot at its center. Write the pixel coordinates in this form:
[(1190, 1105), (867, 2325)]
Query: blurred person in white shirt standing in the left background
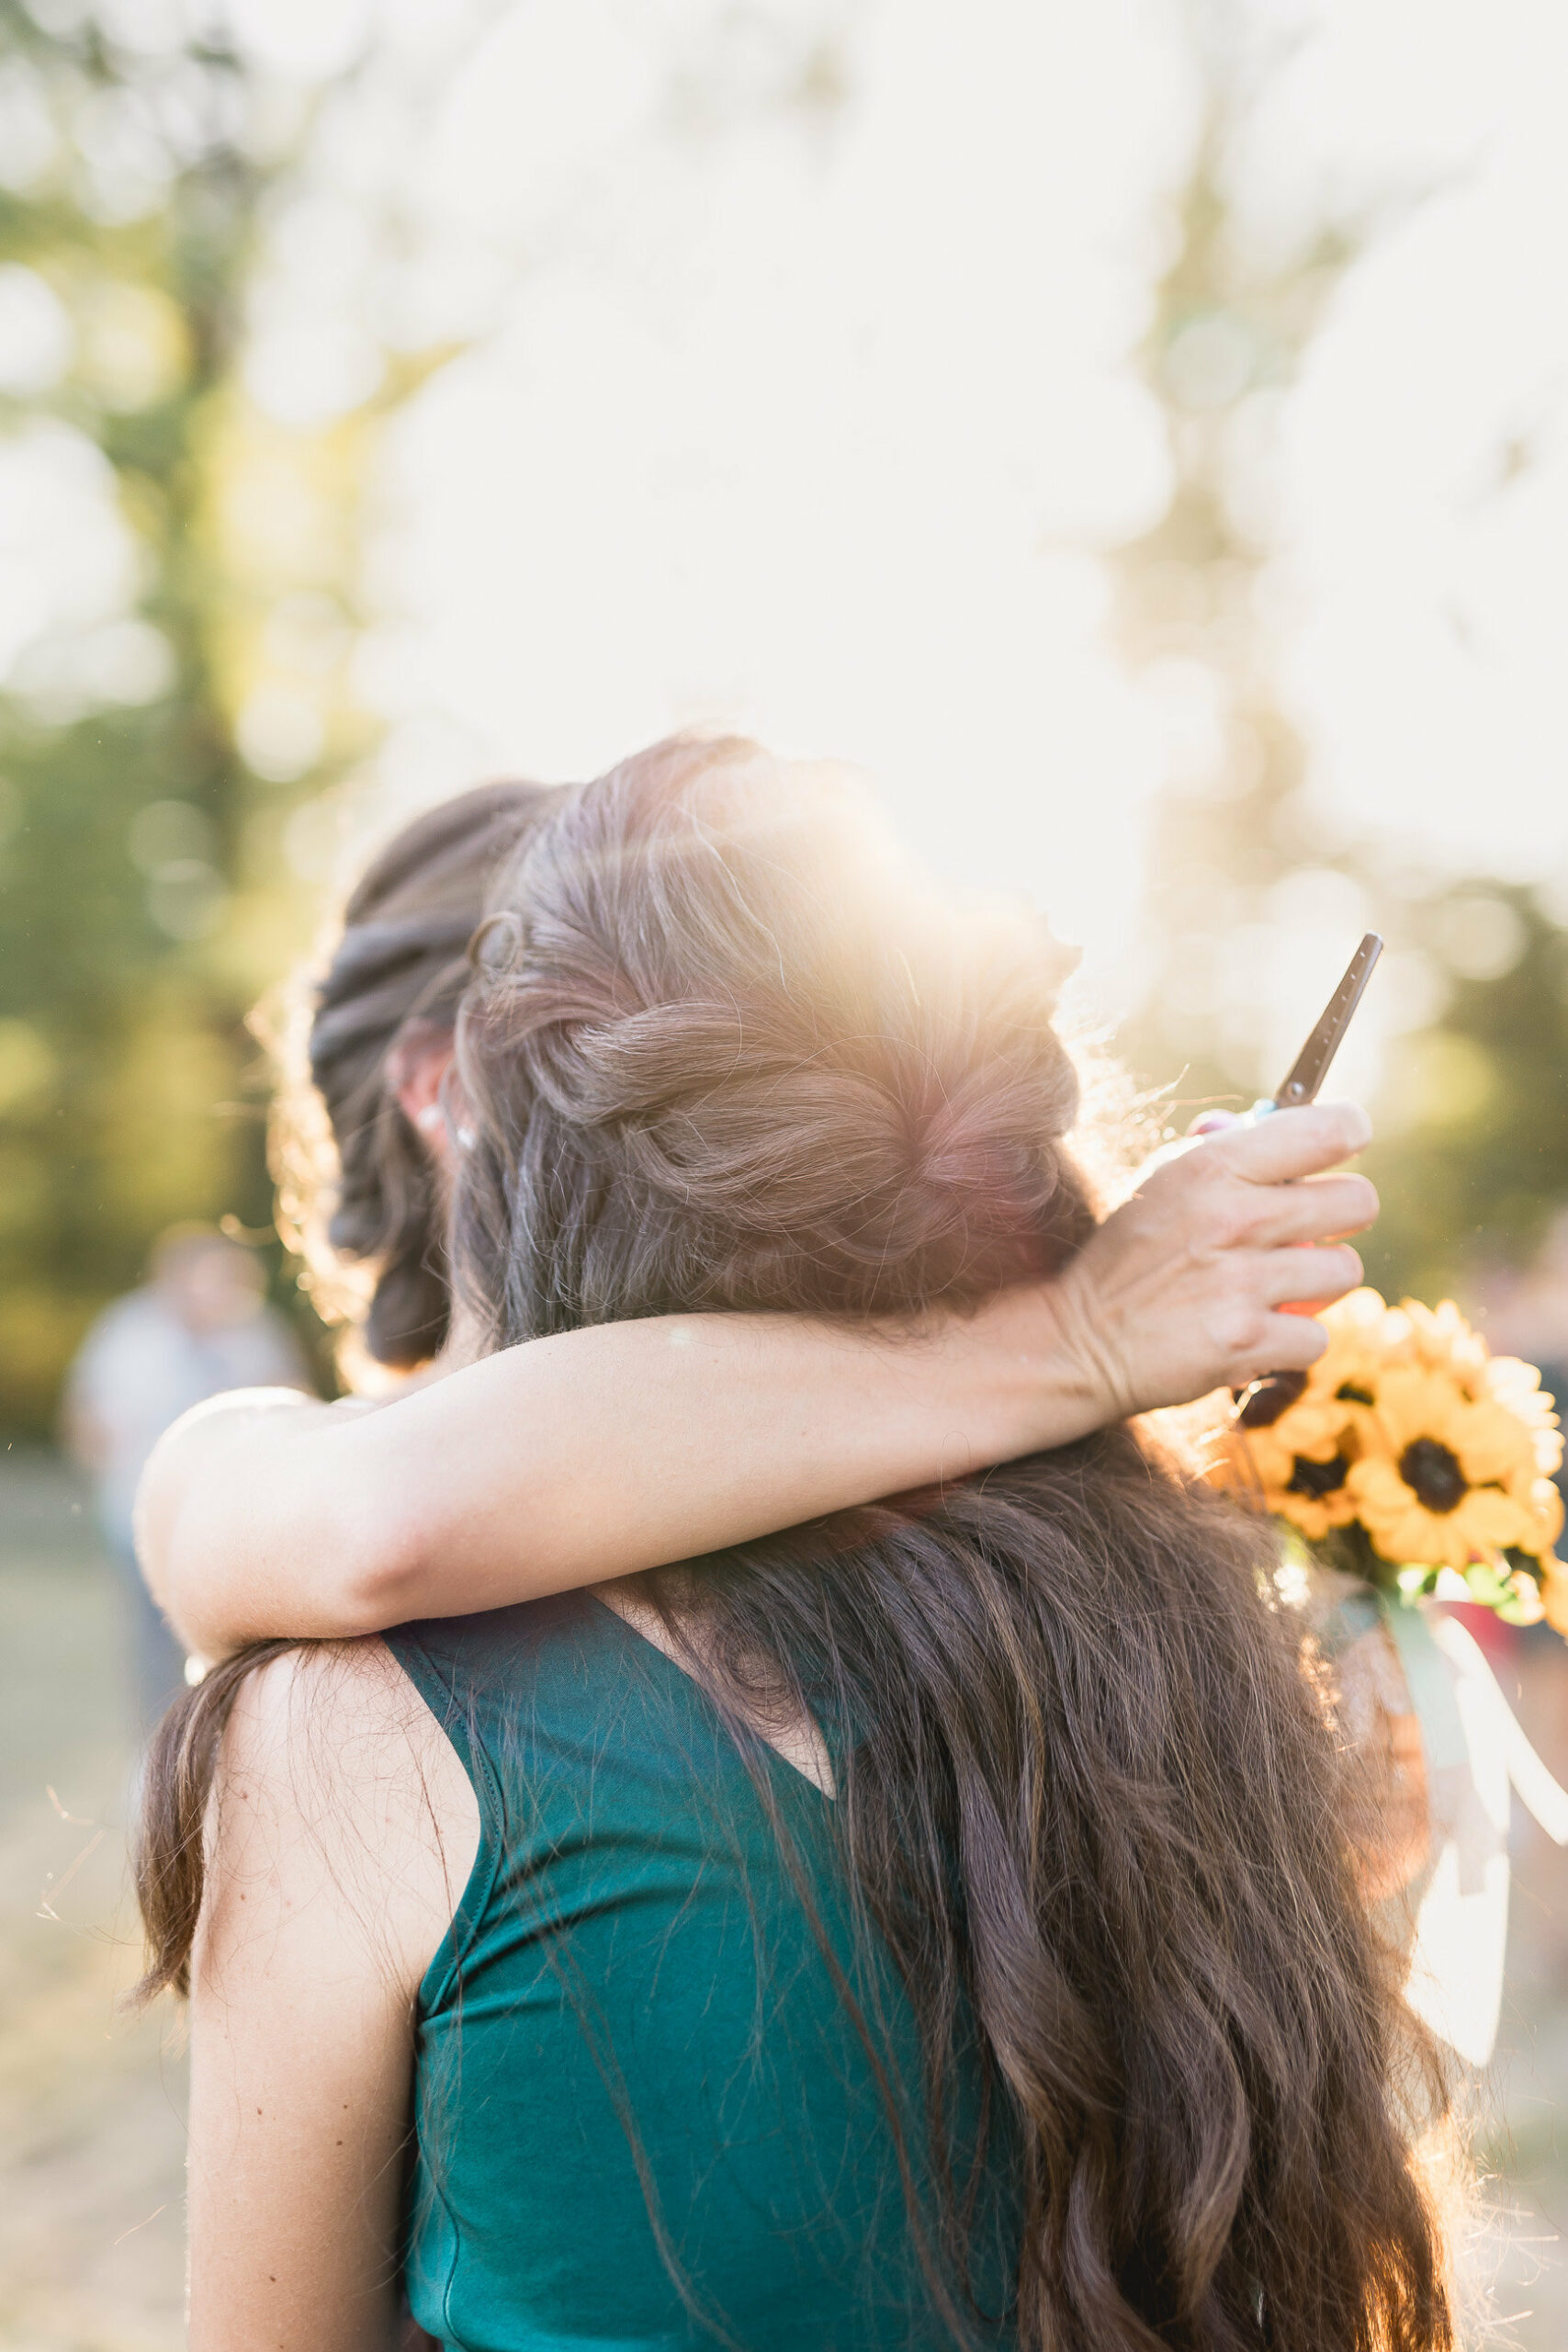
[(199, 1328)]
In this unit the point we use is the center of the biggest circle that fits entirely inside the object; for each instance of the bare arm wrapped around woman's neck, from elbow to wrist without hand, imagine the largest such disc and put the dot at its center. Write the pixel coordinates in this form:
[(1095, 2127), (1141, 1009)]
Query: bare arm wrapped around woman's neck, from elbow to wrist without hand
[(572, 1462)]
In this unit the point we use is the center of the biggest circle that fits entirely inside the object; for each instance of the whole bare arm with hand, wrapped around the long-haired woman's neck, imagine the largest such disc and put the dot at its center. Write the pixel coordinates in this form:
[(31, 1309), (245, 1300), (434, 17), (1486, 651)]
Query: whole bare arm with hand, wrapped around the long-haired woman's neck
[(605, 1452)]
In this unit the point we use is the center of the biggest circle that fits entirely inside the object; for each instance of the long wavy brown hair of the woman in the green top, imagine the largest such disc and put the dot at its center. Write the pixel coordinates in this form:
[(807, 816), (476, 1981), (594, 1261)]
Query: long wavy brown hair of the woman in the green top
[(721, 1053)]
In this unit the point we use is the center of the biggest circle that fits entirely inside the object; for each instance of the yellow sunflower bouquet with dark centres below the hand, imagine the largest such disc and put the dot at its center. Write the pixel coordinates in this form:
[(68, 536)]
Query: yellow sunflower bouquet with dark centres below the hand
[(1414, 1459)]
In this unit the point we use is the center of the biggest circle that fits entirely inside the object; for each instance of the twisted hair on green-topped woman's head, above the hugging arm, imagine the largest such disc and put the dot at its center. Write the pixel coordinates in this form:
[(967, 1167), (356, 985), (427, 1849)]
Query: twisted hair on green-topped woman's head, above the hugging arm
[(728, 1055)]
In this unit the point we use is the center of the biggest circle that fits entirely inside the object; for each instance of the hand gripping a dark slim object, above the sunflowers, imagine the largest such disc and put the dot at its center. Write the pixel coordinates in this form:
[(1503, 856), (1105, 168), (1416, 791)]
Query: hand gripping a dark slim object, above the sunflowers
[(1184, 1288)]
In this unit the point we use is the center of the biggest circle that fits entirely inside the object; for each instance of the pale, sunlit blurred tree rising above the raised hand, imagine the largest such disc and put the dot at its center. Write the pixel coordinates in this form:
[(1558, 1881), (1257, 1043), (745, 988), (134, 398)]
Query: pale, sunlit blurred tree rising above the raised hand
[(1235, 820)]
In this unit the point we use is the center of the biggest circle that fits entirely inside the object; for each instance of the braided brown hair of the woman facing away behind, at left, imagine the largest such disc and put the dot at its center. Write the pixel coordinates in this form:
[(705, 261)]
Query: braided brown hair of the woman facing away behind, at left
[(359, 1189)]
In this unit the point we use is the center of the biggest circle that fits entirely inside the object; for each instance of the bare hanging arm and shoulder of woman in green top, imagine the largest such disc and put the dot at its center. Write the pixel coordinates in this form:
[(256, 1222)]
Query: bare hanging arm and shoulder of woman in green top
[(328, 1895)]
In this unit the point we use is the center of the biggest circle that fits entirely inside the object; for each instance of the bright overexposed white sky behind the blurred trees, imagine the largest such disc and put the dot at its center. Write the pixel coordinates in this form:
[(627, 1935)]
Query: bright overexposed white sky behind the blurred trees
[(822, 425)]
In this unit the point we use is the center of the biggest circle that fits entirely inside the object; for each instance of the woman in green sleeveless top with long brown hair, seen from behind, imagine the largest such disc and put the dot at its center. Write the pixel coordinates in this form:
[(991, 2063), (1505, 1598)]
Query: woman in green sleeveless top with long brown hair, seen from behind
[(927, 1927)]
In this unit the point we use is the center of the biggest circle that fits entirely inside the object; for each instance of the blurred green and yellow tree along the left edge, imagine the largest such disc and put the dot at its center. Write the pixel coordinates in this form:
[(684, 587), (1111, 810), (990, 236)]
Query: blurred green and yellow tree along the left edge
[(175, 634)]
